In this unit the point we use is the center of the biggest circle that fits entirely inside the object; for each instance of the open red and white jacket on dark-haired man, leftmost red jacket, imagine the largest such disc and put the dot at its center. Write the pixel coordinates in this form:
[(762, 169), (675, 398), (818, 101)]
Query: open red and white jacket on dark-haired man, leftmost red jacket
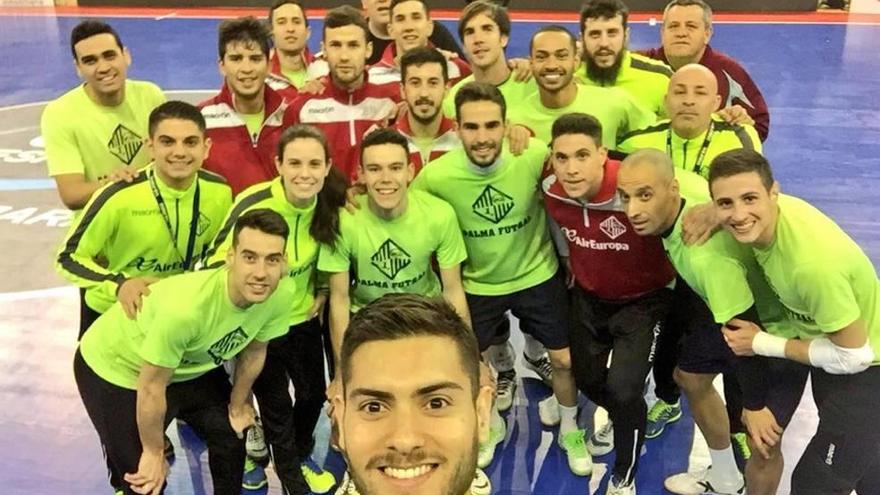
[(235, 154)]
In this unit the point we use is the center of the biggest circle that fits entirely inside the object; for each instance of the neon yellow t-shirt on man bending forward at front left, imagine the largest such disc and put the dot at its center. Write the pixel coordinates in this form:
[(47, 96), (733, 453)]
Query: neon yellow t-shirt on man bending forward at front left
[(187, 323)]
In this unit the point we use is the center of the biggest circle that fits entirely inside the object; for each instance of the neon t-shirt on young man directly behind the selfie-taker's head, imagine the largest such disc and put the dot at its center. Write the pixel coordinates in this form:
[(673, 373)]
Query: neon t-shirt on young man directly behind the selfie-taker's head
[(389, 256)]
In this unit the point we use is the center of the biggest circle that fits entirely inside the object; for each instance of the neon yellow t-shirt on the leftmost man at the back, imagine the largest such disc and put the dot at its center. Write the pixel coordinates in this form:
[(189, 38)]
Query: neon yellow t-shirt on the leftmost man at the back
[(83, 137)]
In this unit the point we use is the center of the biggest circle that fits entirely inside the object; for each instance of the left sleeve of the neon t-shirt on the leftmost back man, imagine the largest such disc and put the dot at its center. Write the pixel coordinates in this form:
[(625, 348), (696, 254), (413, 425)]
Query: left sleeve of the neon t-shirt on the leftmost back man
[(62, 152)]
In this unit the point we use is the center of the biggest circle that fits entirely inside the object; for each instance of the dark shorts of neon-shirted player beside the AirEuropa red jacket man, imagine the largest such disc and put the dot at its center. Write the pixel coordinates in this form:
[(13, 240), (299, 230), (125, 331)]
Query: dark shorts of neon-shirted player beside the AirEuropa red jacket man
[(542, 311)]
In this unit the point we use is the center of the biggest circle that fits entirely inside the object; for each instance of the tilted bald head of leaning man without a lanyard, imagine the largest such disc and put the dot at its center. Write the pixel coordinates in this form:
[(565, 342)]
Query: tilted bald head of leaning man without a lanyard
[(647, 187)]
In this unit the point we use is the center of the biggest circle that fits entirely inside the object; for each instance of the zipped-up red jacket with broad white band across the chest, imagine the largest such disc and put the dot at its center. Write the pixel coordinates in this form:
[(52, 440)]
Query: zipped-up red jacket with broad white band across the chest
[(344, 117)]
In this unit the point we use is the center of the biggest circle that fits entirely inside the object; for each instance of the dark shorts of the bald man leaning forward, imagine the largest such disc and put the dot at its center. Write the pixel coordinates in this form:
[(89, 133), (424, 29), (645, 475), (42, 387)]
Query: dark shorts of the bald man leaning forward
[(702, 348)]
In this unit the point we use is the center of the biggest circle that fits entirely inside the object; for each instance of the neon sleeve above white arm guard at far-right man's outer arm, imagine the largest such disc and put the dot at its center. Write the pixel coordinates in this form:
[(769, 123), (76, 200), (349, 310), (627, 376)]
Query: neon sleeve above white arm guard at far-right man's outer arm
[(828, 296)]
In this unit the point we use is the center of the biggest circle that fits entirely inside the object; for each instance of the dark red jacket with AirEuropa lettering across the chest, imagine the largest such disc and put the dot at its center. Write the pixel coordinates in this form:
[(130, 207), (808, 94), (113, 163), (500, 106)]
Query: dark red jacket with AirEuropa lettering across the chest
[(608, 258)]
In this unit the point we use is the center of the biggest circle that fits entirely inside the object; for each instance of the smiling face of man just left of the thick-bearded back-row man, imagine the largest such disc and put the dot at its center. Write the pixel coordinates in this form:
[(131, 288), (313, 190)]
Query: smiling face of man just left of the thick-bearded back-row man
[(553, 60)]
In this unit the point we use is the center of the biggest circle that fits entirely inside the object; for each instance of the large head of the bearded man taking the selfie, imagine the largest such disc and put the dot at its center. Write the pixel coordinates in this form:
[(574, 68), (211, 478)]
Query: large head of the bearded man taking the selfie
[(413, 410)]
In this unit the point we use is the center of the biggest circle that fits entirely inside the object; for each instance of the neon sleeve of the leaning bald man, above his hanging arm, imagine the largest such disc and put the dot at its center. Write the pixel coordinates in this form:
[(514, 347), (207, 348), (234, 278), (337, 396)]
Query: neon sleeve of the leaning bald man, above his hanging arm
[(722, 282)]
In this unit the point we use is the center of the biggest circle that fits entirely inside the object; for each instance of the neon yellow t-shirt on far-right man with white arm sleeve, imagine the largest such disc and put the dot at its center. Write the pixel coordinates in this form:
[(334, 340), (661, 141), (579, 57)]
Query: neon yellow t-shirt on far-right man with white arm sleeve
[(823, 278)]
